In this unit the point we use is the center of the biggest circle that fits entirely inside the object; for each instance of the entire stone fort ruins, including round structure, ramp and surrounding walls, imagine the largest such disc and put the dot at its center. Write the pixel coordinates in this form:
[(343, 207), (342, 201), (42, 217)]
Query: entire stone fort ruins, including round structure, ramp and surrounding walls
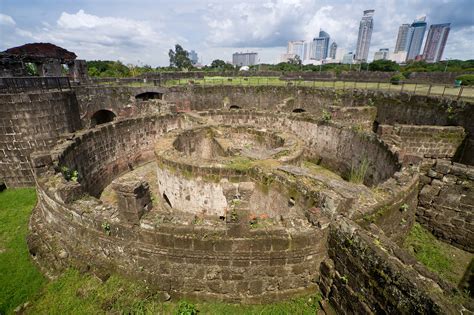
[(244, 194)]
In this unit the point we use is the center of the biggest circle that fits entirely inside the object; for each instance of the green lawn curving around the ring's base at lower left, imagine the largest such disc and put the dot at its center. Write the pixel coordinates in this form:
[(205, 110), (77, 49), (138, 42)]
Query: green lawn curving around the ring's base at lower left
[(75, 293)]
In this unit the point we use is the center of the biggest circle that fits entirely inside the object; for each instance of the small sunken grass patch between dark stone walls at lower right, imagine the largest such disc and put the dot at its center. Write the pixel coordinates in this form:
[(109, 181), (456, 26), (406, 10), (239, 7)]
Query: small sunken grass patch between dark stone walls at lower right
[(444, 259)]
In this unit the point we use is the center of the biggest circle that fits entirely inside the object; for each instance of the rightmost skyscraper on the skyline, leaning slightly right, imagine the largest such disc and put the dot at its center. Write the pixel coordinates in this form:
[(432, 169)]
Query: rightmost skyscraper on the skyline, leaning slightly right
[(436, 41)]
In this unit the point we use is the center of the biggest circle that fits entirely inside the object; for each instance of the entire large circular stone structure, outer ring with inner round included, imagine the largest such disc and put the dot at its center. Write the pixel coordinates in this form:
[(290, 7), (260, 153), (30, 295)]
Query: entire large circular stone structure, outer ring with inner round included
[(232, 205)]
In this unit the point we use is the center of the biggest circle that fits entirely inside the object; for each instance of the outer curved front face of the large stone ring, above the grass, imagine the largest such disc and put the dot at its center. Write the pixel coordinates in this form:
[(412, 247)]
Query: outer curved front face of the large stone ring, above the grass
[(181, 260)]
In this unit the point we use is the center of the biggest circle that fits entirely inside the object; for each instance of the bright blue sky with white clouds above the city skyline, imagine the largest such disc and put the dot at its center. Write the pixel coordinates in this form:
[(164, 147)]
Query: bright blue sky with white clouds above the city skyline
[(142, 31)]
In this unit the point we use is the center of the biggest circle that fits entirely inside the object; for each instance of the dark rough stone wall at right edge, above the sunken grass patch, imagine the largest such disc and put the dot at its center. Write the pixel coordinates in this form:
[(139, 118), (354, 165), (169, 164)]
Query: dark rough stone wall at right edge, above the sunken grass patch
[(446, 203)]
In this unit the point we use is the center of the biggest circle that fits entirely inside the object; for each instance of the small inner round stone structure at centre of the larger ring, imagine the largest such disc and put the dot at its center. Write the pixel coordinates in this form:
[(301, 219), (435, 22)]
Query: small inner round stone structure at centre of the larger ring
[(205, 171)]
